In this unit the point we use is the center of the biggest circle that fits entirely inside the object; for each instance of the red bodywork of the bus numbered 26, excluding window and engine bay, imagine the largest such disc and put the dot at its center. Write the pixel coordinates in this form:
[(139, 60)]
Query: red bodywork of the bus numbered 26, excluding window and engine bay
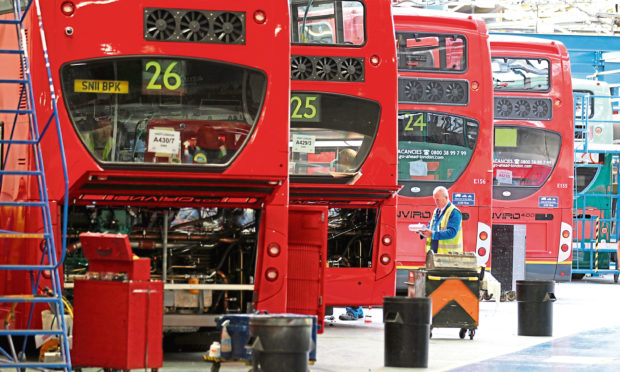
[(256, 178)]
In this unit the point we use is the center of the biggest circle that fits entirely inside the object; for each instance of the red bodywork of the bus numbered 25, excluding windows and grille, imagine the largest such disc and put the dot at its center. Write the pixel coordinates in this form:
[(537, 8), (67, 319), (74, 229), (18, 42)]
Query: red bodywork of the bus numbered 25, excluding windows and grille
[(376, 185)]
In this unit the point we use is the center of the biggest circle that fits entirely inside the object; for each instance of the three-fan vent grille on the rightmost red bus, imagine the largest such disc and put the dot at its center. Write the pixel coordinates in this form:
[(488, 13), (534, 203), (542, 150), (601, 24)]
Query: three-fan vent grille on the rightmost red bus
[(523, 108)]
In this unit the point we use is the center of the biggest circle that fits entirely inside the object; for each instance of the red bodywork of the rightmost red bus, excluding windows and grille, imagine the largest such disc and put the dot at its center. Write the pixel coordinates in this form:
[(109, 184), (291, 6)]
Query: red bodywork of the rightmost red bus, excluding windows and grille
[(545, 258)]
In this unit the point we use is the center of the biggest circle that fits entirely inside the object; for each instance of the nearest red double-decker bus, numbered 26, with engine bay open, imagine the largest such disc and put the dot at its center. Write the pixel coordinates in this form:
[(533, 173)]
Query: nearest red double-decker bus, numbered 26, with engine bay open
[(176, 134)]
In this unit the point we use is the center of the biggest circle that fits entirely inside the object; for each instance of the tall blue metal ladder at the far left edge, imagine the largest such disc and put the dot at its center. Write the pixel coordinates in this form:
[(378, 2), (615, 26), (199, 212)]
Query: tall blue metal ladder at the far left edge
[(23, 130)]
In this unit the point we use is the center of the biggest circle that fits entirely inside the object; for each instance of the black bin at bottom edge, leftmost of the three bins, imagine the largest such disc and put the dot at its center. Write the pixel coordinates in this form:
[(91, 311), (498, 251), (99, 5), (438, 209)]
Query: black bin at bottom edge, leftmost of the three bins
[(280, 342)]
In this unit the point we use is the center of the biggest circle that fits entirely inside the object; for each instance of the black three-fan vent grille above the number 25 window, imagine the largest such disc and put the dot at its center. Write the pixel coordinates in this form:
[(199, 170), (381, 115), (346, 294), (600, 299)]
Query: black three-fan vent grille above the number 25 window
[(326, 68)]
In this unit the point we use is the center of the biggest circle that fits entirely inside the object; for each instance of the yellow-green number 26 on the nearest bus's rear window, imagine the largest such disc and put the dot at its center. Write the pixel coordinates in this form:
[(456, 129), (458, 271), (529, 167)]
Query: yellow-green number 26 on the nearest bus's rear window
[(162, 77)]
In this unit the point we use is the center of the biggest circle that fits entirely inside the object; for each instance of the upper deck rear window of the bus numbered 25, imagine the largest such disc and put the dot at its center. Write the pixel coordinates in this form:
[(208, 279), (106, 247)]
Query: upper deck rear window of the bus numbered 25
[(328, 22)]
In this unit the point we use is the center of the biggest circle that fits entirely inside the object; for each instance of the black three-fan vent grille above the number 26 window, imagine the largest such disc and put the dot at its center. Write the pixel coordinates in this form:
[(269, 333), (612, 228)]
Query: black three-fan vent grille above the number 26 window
[(195, 26)]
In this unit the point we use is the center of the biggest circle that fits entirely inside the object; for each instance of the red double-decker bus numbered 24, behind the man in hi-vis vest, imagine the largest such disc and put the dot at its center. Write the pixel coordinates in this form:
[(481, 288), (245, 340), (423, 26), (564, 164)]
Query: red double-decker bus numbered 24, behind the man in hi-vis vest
[(444, 128)]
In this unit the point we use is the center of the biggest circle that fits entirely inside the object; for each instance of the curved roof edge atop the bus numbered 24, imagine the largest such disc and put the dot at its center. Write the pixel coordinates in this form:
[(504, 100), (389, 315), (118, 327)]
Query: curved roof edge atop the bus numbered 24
[(438, 20)]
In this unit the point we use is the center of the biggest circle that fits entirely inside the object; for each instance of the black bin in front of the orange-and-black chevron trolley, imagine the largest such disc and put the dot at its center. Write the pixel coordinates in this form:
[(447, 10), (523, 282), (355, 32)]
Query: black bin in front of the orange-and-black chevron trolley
[(407, 331)]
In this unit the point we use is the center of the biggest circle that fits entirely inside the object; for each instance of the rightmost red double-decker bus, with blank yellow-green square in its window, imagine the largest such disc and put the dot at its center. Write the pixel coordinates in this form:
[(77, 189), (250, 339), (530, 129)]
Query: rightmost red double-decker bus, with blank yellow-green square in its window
[(532, 160)]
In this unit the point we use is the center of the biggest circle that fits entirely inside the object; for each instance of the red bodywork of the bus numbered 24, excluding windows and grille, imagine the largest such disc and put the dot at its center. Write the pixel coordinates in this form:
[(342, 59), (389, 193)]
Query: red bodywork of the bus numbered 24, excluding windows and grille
[(477, 177)]
